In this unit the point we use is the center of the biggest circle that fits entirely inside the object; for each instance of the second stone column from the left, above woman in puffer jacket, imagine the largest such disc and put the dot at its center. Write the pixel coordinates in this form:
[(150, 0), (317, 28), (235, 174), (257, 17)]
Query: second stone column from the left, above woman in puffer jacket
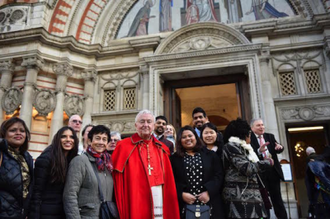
[(33, 64)]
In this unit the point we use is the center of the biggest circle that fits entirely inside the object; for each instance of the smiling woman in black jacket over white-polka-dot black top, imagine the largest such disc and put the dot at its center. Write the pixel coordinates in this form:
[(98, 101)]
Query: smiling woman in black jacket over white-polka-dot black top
[(197, 173)]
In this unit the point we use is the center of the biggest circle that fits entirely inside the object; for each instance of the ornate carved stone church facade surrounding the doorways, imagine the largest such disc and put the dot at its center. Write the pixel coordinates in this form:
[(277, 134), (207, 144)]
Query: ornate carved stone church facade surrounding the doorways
[(59, 58)]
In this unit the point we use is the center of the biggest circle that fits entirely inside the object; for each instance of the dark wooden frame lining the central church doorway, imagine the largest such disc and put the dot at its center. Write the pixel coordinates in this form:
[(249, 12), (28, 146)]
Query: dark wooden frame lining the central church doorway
[(241, 81)]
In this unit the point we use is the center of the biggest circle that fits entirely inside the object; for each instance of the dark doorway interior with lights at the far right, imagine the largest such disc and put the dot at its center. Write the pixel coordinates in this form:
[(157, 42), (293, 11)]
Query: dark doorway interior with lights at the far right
[(300, 136)]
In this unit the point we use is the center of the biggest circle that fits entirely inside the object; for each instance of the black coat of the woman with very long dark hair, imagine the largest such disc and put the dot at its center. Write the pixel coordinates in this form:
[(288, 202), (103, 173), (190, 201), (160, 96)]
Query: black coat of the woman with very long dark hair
[(46, 202)]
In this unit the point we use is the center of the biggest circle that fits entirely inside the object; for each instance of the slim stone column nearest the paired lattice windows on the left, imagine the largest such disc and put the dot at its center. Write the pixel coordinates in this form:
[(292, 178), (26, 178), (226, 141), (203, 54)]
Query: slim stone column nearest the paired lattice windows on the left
[(89, 77)]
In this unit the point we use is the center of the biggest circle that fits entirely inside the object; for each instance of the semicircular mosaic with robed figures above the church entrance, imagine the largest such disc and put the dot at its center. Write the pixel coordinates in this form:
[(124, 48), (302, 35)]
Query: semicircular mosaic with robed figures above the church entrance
[(154, 16)]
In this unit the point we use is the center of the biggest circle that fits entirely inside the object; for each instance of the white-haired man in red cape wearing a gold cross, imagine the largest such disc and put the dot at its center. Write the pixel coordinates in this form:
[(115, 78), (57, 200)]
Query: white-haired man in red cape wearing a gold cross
[(143, 179)]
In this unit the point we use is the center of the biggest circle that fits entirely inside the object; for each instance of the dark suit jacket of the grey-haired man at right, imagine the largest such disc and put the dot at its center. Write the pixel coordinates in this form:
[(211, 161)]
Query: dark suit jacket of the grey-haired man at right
[(271, 148)]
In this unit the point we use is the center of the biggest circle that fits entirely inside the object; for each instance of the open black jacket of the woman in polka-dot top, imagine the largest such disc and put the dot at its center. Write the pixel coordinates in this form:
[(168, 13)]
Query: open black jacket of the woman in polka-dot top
[(212, 180)]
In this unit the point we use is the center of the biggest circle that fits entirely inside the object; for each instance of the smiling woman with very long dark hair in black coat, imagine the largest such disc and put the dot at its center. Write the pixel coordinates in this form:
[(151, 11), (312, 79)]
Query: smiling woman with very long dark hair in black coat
[(50, 175)]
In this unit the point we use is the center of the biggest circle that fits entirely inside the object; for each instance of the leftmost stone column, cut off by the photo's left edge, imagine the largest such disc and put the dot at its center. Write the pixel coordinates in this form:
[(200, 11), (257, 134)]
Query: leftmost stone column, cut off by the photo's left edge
[(6, 70)]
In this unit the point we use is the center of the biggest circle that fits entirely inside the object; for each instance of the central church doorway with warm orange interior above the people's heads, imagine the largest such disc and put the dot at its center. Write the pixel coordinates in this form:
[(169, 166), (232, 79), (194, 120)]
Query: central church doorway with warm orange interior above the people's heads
[(224, 98)]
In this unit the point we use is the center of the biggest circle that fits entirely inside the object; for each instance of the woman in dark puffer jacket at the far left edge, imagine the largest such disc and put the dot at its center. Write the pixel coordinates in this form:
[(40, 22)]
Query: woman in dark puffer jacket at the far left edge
[(16, 169)]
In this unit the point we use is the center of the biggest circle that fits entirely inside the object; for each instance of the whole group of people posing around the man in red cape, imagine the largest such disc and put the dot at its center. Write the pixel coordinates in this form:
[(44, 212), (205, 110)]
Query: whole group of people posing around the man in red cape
[(155, 173)]
